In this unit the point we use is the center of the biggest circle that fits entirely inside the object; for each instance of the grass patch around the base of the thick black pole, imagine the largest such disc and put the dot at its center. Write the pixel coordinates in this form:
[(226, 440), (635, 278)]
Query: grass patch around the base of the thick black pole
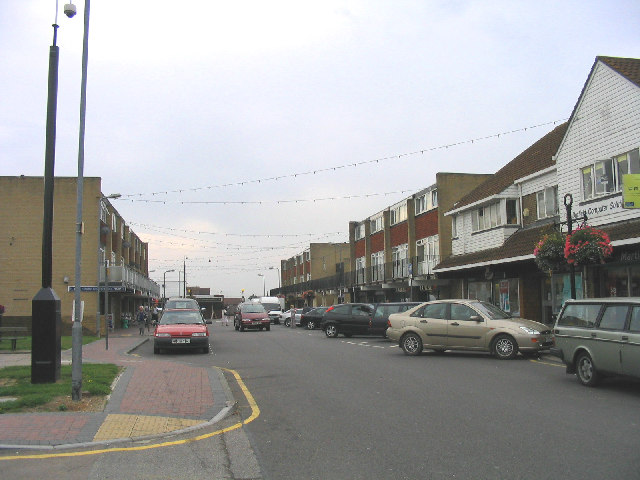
[(97, 379)]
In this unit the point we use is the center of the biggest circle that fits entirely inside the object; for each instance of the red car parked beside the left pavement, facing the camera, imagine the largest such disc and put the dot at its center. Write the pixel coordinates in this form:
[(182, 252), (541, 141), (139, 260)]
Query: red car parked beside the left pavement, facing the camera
[(181, 329)]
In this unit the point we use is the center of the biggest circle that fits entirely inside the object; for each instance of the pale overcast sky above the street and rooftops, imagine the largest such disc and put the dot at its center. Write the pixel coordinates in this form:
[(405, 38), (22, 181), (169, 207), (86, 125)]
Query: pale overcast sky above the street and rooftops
[(190, 102)]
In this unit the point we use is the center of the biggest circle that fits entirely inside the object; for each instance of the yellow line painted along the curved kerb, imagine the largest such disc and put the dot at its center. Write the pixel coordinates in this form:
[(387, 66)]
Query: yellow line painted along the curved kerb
[(255, 412)]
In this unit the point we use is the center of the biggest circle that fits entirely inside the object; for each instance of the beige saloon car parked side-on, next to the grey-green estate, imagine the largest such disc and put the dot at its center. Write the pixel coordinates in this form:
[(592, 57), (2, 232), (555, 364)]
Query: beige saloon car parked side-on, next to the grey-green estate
[(467, 325)]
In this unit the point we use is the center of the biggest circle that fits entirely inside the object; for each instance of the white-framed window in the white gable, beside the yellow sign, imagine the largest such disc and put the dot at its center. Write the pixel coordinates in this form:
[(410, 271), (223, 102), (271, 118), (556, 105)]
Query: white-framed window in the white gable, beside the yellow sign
[(605, 176)]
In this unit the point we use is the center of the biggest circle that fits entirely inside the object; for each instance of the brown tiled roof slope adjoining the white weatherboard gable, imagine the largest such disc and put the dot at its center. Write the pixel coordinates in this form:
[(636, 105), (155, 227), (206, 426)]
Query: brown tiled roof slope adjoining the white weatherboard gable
[(535, 158)]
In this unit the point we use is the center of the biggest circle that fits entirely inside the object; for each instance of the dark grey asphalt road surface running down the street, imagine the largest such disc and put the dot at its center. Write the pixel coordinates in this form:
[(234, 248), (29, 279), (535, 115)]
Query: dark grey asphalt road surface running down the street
[(360, 409)]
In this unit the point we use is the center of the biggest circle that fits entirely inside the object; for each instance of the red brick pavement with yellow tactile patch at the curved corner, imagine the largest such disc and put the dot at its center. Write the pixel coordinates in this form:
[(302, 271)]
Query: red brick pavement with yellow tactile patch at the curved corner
[(152, 397)]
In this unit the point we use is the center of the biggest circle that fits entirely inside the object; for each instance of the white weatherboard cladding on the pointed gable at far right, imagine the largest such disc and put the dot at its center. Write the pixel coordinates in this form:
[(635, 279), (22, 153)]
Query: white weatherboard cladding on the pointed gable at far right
[(606, 123)]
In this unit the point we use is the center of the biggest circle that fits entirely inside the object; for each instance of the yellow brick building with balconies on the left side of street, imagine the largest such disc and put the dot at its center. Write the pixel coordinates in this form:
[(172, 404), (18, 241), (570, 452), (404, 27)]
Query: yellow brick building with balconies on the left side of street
[(106, 236)]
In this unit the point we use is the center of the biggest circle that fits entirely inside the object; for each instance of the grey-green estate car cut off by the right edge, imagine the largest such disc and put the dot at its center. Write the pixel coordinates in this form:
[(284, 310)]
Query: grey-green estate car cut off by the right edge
[(598, 337)]
